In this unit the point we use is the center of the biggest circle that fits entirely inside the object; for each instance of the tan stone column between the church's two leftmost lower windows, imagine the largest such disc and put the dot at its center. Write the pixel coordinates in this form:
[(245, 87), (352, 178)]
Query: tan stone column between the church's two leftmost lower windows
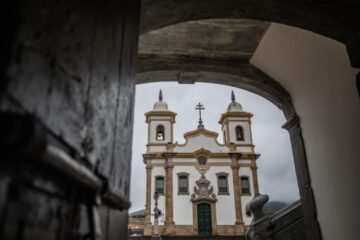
[(169, 219)]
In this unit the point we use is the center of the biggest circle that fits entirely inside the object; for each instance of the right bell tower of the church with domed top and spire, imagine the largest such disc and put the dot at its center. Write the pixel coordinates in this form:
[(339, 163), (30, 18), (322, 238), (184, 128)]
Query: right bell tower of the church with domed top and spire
[(236, 126)]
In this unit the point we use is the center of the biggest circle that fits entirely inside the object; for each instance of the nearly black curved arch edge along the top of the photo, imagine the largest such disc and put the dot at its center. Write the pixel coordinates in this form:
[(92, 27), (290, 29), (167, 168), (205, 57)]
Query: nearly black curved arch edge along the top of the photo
[(334, 19)]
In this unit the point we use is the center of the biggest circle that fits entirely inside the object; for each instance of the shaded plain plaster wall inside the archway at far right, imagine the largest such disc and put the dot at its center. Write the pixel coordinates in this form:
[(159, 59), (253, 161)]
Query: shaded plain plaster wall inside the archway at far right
[(316, 72)]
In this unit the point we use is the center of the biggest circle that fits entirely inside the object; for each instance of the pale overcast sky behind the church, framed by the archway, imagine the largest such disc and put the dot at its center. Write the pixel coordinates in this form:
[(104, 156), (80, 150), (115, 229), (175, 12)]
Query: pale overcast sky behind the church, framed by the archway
[(276, 171)]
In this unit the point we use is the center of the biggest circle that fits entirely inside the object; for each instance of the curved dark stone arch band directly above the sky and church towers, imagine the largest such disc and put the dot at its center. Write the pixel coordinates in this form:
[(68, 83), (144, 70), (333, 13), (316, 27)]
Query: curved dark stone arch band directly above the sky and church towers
[(242, 75)]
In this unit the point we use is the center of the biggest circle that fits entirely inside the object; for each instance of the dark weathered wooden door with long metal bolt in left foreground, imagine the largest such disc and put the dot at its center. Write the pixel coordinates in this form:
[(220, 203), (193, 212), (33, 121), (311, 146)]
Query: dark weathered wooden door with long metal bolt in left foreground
[(71, 69)]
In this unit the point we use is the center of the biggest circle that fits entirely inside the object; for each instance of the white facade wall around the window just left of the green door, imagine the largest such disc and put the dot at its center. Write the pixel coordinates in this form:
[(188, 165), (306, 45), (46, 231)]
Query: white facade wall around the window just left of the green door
[(183, 207)]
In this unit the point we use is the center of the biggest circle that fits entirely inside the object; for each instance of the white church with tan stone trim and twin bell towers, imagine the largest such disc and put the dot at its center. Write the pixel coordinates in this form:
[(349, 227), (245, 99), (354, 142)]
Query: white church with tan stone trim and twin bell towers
[(200, 187)]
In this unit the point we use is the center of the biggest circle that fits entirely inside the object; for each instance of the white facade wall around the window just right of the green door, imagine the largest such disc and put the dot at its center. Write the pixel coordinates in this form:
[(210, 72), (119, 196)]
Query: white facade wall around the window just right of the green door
[(225, 205)]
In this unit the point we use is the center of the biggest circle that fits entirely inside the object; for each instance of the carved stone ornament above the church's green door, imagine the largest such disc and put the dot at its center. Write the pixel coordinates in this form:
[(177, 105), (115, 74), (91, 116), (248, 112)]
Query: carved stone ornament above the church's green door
[(203, 192)]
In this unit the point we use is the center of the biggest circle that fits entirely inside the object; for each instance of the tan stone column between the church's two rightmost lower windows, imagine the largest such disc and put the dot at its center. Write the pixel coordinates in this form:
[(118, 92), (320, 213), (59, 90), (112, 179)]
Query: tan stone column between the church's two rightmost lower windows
[(239, 224)]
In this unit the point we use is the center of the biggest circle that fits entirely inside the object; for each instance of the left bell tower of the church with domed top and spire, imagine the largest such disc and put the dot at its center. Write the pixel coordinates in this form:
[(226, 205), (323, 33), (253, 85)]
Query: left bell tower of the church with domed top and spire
[(160, 126)]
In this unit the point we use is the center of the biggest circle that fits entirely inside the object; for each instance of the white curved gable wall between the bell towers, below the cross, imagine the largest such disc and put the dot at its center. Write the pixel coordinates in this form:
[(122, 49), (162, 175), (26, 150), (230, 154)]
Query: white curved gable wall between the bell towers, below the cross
[(201, 141)]
